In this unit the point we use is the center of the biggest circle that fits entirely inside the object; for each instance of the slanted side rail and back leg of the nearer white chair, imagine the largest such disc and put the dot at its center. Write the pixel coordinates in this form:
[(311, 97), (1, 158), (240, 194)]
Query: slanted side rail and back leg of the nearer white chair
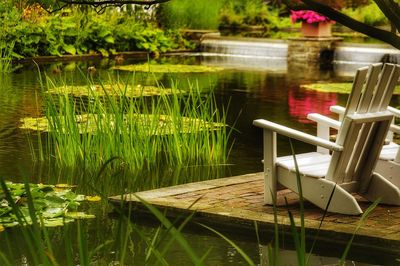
[(318, 192)]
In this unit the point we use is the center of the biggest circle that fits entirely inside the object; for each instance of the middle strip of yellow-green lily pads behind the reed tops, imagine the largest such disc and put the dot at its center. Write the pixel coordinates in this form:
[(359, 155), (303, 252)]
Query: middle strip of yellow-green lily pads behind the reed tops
[(113, 90)]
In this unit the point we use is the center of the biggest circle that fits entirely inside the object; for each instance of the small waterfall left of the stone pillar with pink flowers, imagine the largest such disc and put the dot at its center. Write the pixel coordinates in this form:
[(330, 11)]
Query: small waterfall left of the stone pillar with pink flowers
[(246, 53)]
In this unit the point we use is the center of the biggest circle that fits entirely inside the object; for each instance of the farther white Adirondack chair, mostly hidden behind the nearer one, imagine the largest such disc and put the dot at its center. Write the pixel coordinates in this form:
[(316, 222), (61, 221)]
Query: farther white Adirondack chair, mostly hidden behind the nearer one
[(388, 164)]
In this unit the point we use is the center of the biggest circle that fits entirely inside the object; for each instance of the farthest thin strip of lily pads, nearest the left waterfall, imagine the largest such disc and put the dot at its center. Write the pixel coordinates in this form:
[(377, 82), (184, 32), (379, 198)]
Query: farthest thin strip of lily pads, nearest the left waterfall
[(168, 68)]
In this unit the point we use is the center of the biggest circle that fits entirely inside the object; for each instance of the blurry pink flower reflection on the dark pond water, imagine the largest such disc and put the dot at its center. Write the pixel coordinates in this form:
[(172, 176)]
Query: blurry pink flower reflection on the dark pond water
[(301, 104)]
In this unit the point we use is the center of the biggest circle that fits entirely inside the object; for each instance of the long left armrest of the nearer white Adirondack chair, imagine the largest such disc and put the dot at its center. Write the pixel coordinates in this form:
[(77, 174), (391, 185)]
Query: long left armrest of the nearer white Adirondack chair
[(296, 134)]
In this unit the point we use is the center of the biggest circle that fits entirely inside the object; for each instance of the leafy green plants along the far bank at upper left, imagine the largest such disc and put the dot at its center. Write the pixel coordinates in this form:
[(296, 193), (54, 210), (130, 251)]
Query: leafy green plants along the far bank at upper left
[(73, 31)]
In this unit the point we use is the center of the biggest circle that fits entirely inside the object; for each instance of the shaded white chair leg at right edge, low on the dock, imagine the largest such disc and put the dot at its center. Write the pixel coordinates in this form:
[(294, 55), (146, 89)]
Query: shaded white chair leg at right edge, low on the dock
[(380, 188)]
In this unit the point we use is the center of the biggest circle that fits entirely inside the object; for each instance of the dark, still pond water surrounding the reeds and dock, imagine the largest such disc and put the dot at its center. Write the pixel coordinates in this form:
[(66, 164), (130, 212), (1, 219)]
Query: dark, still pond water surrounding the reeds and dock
[(246, 93)]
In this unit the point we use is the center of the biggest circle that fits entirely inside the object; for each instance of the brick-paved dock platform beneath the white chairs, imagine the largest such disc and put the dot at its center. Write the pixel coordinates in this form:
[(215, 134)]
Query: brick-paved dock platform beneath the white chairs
[(236, 203)]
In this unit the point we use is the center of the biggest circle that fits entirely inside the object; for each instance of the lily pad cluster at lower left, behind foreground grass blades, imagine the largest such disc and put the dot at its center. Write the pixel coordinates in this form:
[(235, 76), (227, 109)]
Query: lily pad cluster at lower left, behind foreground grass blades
[(53, 207)]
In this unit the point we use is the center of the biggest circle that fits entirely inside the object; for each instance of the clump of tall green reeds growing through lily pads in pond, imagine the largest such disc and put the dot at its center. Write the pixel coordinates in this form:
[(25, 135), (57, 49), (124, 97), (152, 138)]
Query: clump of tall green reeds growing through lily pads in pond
[(144, 132)]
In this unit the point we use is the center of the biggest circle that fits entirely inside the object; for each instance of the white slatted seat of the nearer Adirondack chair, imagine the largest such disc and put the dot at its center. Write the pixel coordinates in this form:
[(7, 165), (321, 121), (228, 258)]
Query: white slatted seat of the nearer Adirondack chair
[(311, 164)]
